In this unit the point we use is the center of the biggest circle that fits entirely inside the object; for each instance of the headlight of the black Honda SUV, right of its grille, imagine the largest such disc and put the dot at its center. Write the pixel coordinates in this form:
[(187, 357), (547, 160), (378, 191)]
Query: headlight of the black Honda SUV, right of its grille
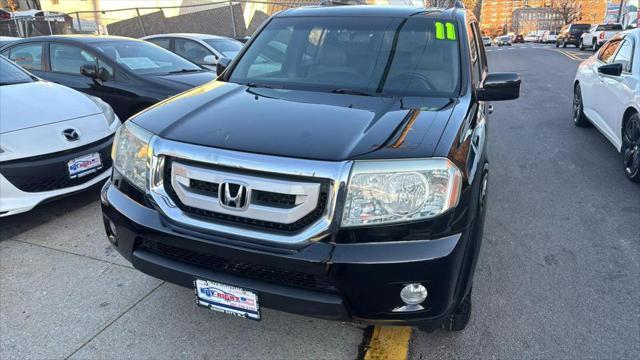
[(392, 191)]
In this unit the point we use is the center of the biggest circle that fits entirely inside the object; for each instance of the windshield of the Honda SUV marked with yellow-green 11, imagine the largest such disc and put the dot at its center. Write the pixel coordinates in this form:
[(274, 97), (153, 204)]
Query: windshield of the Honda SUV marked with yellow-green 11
[(369, 56)]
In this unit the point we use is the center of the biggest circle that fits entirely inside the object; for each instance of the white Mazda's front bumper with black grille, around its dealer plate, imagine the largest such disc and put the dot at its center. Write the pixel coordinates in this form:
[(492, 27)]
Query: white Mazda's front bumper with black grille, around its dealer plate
[(25, 183)]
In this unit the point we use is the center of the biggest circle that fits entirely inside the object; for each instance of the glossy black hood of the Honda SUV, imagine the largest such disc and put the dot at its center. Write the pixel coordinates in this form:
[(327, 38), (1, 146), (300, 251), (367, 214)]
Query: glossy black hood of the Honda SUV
[(302, 124)]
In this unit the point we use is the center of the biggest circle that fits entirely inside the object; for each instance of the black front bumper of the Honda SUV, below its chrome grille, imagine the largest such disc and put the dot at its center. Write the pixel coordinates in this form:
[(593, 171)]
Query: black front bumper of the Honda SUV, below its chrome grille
[(358, 282)]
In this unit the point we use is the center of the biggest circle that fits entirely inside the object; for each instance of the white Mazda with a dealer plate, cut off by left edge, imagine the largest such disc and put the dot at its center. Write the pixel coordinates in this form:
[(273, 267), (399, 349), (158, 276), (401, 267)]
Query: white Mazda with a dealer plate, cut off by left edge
[(53, 140)]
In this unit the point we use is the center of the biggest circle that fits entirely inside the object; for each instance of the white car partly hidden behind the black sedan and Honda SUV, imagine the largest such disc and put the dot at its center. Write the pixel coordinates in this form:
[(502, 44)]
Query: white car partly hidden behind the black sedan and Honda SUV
[(202, 49)]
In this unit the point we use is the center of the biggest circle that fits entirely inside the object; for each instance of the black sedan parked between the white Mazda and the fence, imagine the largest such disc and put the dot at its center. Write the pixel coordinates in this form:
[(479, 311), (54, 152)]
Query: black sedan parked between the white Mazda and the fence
[(128, 74)]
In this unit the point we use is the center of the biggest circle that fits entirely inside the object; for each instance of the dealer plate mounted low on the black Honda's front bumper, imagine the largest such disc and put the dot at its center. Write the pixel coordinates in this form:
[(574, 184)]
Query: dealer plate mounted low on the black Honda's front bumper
[(227, 299)]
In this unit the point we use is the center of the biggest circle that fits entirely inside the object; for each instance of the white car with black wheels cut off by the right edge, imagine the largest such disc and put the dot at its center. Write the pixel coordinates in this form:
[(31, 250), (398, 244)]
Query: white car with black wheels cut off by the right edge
[(607, 95)]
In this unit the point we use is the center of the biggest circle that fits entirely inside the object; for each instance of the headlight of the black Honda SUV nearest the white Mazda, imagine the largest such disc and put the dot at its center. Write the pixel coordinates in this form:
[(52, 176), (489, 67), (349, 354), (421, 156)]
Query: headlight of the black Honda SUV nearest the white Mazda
[(131, 154)]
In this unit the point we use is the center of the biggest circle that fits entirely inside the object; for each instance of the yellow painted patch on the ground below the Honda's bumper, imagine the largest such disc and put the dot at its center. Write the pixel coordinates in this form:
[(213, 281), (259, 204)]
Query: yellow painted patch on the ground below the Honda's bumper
[(389, 343)]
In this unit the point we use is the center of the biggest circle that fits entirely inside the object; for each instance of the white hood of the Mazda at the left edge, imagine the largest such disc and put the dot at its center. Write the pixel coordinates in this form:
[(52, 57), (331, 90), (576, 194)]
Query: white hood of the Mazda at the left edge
[(39, 103)]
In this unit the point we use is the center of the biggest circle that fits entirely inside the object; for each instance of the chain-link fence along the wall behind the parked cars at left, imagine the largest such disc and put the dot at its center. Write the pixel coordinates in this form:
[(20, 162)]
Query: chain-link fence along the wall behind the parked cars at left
[(228, 18)]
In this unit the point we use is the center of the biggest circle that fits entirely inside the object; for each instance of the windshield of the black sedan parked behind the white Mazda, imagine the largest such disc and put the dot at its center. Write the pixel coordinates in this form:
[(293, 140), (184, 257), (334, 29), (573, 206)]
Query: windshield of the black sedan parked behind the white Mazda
[(144, 58)]
